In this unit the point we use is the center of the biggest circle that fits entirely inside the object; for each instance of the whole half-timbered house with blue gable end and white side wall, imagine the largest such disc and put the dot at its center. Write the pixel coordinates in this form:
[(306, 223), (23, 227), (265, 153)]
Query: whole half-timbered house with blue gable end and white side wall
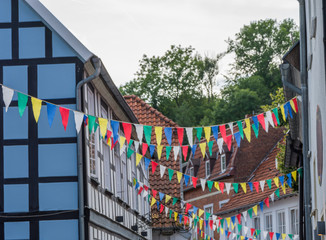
[(51, 187)]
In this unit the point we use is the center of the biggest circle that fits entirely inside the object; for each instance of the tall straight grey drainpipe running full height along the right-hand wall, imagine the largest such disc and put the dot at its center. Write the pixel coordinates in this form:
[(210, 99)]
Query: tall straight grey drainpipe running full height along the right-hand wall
[(305, 126)]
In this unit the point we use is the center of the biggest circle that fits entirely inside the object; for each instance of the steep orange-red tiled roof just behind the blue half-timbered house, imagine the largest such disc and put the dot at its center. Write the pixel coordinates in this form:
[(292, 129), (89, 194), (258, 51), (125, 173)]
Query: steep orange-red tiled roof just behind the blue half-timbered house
[(147, 115)]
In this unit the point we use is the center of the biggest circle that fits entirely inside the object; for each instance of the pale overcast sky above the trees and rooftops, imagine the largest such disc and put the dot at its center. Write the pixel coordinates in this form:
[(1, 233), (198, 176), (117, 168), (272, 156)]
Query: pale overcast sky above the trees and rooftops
[(120, 32)]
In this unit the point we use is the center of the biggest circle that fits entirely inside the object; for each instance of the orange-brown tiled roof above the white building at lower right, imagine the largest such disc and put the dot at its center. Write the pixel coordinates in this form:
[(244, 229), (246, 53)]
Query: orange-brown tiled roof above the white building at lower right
[(265, 170)]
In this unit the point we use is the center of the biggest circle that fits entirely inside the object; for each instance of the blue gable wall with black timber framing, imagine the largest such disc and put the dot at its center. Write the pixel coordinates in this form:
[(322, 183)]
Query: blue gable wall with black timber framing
[(38, 163)]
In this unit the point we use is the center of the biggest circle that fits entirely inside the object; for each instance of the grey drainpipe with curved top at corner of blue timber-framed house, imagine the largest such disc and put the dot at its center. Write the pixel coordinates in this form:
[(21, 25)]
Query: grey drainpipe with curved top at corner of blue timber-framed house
[(81, 204)]
